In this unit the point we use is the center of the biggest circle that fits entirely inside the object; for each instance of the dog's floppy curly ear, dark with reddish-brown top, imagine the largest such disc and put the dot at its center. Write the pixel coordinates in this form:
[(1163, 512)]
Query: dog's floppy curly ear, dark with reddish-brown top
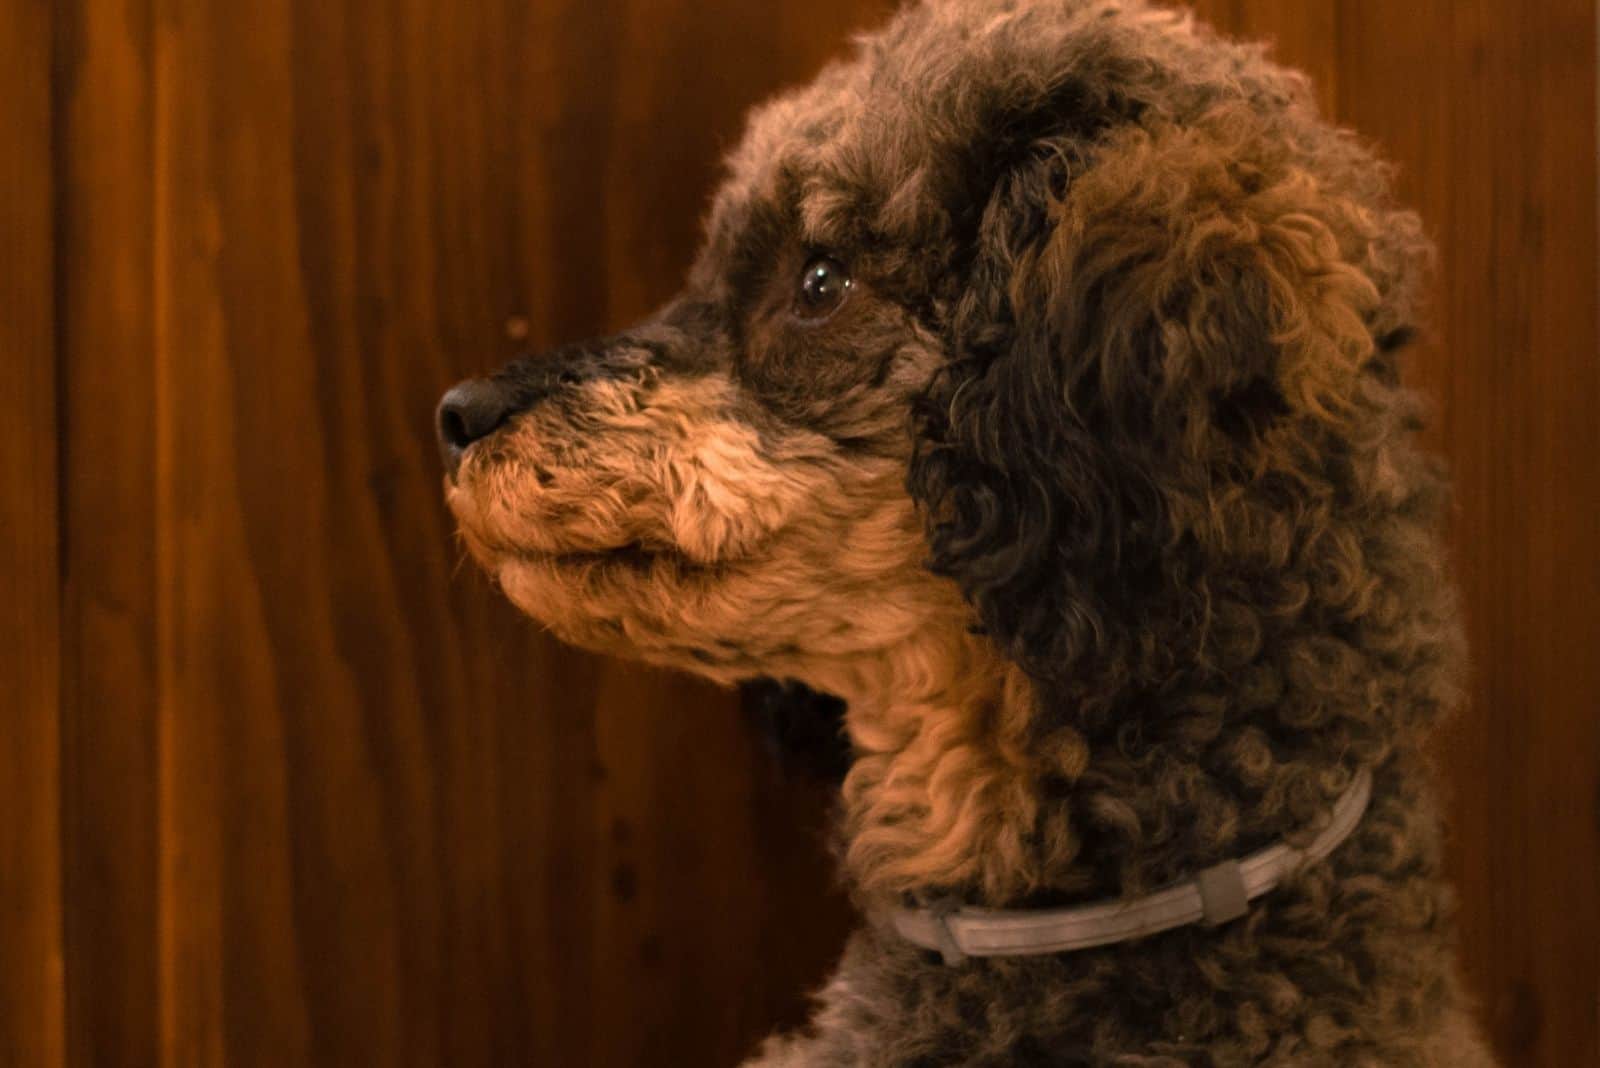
[(1164, 372)]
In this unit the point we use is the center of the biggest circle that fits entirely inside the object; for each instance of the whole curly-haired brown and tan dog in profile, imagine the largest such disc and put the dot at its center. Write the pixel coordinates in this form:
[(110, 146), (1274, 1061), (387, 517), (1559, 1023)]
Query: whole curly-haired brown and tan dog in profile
[(1036, 393)]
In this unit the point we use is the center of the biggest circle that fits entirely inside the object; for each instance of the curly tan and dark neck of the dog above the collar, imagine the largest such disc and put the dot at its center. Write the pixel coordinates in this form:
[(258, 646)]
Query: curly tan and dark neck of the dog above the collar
[(962, 787)]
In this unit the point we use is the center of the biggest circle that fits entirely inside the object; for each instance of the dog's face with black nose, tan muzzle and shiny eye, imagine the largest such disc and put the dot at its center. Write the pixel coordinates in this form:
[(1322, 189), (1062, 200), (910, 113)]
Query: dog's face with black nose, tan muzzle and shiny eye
[(722, 487)]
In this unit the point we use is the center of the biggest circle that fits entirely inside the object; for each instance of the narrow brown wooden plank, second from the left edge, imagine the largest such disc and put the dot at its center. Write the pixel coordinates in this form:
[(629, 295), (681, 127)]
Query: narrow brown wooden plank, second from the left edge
[(111, 424)]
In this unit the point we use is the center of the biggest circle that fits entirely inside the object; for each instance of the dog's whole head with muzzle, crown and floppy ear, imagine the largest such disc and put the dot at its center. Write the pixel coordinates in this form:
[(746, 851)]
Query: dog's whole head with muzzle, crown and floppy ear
[(1058, 329)]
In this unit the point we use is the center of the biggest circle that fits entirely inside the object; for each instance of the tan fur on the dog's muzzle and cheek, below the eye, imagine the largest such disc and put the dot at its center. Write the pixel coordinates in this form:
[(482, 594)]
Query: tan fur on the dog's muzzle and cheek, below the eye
[(657, 524)]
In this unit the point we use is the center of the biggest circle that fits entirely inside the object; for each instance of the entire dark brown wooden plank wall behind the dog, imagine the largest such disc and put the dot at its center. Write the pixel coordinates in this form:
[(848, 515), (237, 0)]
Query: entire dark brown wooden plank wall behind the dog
[(284, 784)]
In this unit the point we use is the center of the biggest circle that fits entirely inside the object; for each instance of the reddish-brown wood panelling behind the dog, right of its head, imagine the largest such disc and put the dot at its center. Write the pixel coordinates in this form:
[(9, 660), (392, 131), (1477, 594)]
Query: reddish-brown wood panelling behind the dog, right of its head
[(1490, 113)]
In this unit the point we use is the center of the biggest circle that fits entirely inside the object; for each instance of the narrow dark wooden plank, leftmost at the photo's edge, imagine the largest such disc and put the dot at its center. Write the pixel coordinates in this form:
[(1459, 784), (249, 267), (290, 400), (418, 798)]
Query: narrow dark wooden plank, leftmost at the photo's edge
[(33, 1026)]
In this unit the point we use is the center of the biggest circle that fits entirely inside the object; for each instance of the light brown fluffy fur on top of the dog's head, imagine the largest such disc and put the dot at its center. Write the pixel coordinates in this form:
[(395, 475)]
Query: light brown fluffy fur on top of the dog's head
[(878, 138)]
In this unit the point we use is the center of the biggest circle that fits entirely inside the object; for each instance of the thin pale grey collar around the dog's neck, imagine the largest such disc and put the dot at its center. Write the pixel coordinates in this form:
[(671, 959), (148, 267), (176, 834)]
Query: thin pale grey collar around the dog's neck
[(1215, 896)]
